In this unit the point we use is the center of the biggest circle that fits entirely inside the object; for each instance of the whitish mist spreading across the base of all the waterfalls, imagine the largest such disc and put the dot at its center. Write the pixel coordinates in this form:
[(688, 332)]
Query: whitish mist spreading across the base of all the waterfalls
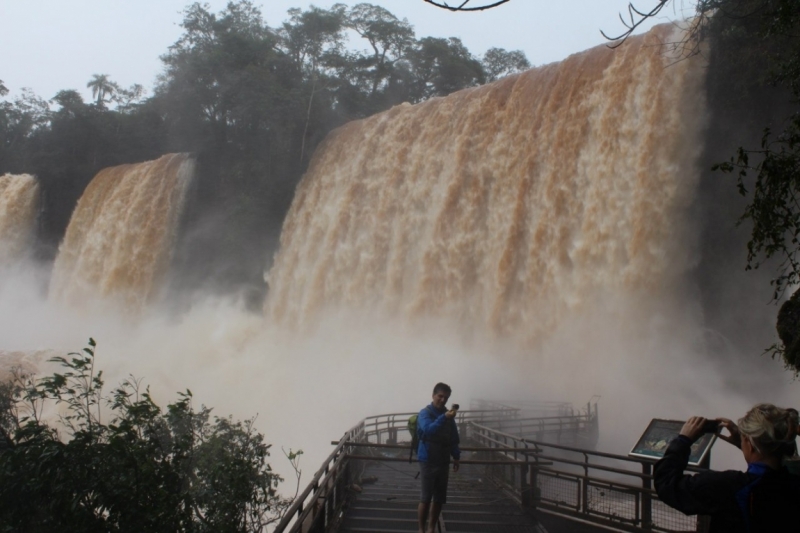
[(307, 390)]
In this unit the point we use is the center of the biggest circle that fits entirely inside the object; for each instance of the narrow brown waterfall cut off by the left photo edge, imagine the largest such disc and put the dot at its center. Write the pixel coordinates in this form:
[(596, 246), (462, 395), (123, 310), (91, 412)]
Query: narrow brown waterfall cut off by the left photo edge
[(19, 204)]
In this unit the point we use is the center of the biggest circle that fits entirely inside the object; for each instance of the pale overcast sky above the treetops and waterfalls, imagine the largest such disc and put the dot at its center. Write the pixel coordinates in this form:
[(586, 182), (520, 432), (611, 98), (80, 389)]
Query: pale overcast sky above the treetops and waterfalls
[(49, 45)]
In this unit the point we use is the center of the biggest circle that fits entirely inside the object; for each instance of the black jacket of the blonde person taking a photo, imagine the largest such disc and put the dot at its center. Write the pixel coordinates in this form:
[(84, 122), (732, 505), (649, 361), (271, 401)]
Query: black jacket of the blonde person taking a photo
[(760, 500)]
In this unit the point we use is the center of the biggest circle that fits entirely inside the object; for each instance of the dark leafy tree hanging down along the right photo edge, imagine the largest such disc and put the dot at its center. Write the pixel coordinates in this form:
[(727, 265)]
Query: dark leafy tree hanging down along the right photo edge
[(769, 176)]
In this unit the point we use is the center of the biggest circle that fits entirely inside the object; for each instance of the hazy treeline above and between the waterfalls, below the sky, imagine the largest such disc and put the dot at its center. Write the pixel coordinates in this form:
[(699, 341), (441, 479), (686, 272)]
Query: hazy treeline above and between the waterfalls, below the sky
[(251, 102)]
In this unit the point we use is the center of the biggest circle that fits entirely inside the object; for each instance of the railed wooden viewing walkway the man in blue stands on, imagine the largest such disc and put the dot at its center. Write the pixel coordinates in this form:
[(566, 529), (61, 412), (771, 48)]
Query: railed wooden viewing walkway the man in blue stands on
[(524, 468)]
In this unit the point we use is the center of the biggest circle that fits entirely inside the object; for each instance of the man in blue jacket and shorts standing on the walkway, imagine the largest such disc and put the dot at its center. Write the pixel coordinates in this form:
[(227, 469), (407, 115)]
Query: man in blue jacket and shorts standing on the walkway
[(438, 440)]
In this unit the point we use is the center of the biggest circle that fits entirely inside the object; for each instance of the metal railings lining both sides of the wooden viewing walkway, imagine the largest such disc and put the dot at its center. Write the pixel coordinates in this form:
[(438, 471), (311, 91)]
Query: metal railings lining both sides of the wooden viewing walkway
[(602, 488)]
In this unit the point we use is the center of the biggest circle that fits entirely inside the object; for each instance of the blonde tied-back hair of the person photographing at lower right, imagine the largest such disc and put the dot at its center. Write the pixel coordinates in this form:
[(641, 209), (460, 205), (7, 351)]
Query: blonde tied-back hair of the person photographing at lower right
[(771, 430)]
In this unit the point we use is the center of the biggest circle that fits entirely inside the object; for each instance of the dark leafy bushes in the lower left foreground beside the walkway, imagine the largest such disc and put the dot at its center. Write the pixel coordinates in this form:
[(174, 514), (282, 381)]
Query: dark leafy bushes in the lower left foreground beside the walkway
[(144, 469)]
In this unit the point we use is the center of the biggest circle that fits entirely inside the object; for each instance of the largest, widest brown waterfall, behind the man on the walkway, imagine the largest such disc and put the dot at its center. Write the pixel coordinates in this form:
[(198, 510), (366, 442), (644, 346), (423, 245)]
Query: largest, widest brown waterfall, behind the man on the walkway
[(504, 207)]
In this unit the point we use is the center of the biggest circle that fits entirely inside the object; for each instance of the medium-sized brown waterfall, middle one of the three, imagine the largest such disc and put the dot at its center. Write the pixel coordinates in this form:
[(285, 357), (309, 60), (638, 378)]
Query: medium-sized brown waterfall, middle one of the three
[(119, 241)]
